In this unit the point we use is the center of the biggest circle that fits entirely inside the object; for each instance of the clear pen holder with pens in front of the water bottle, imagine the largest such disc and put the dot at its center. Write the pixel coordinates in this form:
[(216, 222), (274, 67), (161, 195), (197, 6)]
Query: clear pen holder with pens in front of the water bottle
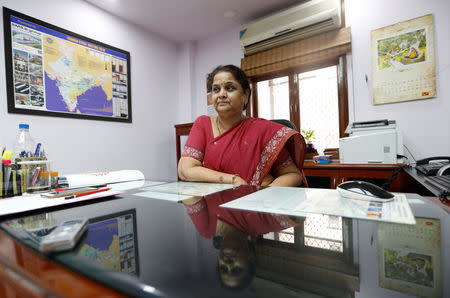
[(35, 175)]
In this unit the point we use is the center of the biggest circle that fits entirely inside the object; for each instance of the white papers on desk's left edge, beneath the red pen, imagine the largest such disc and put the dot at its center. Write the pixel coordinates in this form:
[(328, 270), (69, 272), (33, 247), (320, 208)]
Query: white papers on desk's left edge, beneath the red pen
[(34, 202)]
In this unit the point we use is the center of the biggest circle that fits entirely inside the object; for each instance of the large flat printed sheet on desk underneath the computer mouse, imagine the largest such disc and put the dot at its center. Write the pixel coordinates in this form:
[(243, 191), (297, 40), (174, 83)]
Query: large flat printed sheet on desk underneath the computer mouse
[(301, 201)]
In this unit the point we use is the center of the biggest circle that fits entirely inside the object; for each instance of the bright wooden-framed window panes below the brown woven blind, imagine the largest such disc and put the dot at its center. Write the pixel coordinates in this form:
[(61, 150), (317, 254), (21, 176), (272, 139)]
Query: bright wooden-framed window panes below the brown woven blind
[(313, 99)]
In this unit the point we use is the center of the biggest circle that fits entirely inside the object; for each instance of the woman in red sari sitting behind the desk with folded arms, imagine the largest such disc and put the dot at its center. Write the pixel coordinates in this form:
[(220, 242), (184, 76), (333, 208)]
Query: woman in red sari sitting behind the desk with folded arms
[(233, 149)]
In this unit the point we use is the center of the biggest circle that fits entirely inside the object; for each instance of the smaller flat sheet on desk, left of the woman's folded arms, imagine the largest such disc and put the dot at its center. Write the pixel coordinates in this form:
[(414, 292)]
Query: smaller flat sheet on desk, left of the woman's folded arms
[(182, 190)]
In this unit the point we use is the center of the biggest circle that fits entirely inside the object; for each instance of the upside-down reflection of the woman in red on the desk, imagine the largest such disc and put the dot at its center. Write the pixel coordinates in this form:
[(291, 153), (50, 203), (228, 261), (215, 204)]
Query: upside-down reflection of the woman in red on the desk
[(230, 229)]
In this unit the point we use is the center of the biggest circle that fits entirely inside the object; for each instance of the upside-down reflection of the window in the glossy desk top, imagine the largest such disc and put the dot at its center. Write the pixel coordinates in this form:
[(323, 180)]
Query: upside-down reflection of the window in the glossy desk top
[(321, 255)]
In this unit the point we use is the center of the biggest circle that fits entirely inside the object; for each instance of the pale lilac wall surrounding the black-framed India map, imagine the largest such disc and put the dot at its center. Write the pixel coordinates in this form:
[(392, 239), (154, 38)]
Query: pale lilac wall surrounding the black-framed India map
[(78, 146)]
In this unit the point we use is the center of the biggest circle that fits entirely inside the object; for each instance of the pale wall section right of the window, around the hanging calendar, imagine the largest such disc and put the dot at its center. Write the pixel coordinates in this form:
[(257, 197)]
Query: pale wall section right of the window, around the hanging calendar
[(425, 123)]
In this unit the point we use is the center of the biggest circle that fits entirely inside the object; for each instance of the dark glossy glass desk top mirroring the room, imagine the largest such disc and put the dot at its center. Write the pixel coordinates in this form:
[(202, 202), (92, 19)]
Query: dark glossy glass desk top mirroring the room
[(147, 247)]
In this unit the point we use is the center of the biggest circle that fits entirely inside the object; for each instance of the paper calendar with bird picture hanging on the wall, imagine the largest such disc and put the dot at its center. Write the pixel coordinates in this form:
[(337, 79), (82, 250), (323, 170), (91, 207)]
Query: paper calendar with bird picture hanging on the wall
[(403, 64)]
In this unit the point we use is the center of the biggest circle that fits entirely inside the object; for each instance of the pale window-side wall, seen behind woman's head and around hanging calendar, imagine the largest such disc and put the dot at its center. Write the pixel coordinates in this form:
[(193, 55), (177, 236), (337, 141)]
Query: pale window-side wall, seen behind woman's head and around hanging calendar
[(425, 123)]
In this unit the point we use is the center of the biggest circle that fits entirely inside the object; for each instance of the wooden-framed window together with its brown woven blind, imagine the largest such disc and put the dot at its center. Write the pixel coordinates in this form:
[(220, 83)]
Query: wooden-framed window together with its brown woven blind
[(304, 81)]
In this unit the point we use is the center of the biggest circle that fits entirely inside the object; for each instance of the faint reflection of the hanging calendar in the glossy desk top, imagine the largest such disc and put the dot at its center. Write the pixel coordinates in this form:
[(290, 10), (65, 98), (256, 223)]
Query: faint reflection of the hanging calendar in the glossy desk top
[(409, 257)]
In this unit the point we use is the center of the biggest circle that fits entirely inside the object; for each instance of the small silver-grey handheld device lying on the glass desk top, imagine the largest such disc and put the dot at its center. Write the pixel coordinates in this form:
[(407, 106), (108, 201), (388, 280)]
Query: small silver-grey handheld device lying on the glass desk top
[(64, 237)]
